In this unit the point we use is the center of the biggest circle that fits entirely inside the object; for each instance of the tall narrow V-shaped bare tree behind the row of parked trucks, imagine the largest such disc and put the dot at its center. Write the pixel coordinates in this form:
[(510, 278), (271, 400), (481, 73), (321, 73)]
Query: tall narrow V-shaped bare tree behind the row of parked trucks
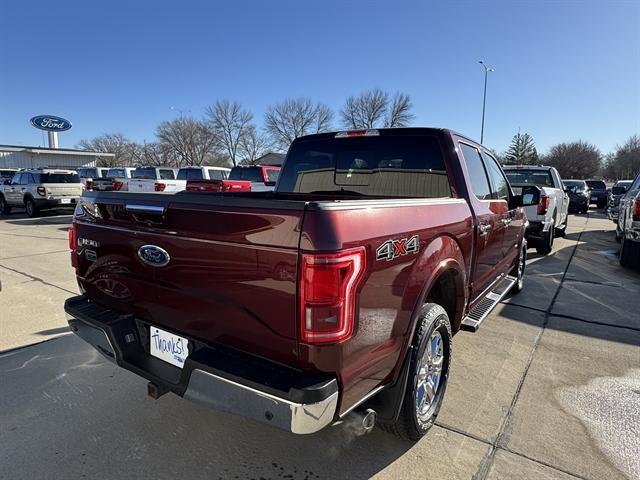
[(230, 123)]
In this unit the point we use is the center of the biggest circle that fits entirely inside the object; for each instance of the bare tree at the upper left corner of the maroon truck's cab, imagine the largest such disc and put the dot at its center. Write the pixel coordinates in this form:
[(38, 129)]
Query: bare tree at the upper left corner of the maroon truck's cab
[(294, 118)]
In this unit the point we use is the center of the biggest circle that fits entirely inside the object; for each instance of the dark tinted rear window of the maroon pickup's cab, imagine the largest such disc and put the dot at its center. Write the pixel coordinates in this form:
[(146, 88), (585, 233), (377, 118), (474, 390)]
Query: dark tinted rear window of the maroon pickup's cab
[(395, 166)]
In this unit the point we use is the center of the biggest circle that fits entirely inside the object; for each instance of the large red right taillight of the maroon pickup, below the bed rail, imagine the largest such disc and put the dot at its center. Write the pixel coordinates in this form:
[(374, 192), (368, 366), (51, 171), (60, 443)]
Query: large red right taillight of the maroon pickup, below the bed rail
[(328, 284)]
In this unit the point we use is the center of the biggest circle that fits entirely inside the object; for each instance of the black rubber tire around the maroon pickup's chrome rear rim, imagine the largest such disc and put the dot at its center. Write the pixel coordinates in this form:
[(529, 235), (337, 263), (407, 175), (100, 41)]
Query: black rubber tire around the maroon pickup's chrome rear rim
[(433, 319)]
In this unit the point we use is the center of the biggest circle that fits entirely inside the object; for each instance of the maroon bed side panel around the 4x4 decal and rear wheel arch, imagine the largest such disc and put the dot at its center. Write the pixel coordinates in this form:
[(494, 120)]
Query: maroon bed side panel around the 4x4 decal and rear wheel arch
[(390, 290)]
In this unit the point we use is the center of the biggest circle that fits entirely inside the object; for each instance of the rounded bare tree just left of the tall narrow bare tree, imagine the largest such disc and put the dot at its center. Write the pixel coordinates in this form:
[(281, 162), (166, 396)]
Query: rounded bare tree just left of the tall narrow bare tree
[(191, 141)]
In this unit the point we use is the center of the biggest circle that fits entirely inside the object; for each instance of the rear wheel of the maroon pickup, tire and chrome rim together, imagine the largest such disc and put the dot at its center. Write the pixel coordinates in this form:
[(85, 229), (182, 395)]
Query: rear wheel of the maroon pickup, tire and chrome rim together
[(428, 375)]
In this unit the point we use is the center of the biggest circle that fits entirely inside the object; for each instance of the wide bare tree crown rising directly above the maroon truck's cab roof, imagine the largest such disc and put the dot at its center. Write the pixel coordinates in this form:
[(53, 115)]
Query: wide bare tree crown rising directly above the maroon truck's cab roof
[(374, 108)]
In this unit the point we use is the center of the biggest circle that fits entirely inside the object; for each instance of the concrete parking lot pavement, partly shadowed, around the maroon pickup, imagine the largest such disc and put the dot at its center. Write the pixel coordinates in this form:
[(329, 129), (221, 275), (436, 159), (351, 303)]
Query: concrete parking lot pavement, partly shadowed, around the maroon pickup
[(548, 388)]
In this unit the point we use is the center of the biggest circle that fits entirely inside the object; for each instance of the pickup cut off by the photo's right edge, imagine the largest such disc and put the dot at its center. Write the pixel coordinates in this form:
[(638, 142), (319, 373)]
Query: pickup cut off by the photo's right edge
[(628, 229)]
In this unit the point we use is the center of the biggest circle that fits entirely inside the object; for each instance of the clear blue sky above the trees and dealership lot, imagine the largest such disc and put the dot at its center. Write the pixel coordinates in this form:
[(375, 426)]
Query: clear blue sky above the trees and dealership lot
[(565, 70)]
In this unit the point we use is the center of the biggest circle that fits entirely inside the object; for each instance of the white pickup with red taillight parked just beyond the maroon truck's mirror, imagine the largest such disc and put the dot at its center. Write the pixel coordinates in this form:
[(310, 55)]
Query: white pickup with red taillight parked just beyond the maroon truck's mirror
[(549, 218)]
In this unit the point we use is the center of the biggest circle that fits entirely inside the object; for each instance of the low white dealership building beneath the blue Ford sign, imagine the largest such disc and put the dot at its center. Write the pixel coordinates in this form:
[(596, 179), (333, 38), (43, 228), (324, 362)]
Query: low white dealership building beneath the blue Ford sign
[(14, 156)]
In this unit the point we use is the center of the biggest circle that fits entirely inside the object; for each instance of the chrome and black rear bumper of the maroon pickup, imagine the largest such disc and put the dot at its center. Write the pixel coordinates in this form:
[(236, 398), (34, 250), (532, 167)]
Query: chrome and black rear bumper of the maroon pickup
[(217, 377)]
